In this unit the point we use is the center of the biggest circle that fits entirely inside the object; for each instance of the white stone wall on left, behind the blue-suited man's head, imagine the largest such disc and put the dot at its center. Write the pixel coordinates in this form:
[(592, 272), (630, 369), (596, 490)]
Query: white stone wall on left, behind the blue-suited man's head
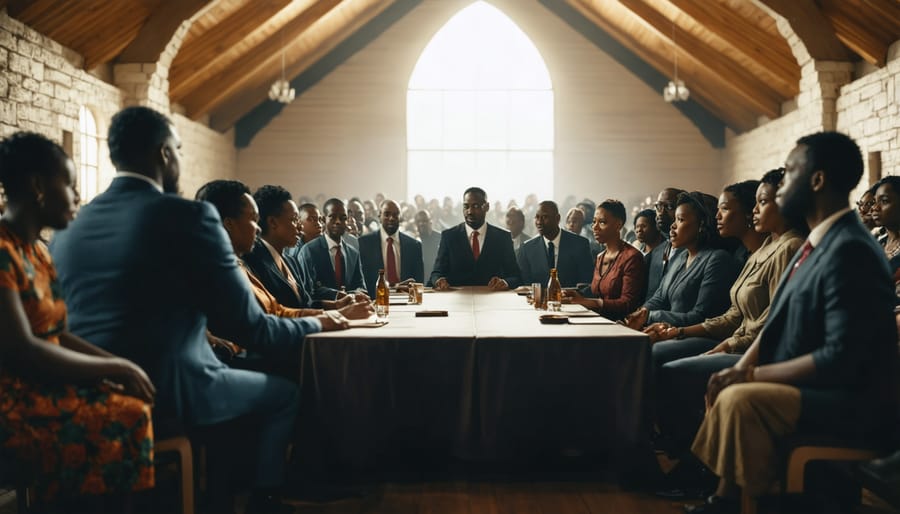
[(43, 86)]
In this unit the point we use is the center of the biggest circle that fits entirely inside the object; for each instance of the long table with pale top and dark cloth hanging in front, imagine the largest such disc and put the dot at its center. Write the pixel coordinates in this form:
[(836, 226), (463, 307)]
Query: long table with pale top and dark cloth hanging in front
[(488, 382)]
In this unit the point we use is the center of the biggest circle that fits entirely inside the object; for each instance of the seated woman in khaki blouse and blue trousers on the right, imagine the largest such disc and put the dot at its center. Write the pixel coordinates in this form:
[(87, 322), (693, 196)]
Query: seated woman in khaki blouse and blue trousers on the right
[(683, 374)]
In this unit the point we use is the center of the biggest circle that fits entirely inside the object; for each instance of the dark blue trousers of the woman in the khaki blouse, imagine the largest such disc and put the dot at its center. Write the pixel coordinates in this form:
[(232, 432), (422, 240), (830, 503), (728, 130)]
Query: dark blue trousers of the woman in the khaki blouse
[(680, 392)]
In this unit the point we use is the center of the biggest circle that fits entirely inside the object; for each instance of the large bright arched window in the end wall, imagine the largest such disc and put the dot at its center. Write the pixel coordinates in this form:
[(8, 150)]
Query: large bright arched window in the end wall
[(480, 111)]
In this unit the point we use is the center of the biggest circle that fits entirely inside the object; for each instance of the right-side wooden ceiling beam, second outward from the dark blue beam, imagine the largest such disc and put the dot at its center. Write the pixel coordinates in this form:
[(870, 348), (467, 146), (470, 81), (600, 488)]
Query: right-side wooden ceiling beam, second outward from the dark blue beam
[(761, 95)]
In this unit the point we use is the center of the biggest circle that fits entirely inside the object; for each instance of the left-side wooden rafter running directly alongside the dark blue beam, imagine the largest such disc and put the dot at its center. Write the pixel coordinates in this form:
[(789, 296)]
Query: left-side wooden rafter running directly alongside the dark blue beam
[(321, 40)]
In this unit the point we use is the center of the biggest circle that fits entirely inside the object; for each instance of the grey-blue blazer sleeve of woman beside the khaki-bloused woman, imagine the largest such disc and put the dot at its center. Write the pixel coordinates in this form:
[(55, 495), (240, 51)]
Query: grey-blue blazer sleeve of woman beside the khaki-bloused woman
[(712, 297)]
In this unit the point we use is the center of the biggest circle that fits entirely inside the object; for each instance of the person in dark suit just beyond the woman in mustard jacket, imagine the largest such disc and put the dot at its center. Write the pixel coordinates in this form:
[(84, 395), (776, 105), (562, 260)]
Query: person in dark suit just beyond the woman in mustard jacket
[(278, 221)]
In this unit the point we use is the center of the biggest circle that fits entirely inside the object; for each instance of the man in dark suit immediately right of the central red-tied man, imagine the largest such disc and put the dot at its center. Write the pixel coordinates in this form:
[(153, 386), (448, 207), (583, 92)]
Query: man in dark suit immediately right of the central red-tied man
[(569, 253)]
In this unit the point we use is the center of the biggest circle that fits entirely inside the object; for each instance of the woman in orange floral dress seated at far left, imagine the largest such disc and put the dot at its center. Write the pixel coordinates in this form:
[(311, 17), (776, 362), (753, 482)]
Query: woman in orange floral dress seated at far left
[(76, 417)]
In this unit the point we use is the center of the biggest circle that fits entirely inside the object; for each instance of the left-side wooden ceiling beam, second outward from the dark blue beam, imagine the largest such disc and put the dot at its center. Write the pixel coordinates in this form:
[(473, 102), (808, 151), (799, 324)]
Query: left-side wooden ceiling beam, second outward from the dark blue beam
[(263, 62)]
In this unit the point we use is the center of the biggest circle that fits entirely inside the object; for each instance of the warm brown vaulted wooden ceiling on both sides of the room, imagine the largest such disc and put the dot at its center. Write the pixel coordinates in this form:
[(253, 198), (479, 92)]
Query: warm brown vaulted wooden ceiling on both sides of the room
[(729, 52)]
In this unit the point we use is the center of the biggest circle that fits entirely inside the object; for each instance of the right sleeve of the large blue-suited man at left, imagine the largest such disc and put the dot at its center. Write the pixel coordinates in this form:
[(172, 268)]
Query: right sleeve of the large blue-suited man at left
[(212, 261)]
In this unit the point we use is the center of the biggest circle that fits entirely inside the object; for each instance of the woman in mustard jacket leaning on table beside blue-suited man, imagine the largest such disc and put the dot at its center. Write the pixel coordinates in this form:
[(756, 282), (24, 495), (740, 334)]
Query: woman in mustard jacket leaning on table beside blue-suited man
[(239, 216)]
